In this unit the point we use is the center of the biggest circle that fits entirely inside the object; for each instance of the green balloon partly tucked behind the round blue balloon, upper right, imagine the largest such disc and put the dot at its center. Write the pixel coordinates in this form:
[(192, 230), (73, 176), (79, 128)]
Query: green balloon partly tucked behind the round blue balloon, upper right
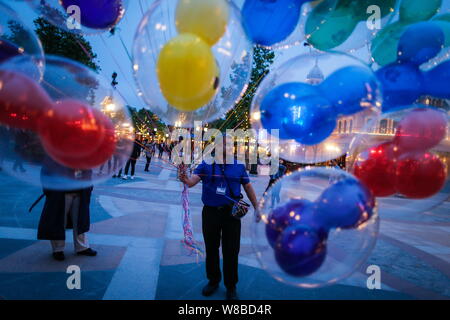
[(385, 44)]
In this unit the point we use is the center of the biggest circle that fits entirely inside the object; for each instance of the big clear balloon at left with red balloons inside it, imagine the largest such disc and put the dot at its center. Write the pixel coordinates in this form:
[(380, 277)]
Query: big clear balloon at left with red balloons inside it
[(69, 132)]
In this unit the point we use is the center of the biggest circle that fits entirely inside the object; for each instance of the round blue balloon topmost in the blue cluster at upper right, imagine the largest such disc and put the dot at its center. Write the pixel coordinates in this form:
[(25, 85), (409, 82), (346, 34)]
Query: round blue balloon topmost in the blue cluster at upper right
[(420, 43)]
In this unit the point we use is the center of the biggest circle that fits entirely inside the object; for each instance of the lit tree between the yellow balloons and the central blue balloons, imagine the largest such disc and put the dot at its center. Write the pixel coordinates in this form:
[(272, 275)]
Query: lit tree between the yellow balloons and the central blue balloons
[(239, 116)]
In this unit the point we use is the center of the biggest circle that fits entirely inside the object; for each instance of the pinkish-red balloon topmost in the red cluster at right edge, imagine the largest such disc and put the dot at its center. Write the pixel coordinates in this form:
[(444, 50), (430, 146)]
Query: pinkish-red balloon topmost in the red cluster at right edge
[(421, 130)]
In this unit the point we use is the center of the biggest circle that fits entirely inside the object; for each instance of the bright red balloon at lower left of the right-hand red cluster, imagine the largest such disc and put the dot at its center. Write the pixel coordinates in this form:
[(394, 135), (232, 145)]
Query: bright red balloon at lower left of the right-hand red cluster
[(375, 168)]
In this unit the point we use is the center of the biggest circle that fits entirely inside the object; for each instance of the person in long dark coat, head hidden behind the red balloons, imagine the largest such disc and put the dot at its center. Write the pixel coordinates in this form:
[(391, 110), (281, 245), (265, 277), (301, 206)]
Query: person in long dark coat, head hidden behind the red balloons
[(65, 209)]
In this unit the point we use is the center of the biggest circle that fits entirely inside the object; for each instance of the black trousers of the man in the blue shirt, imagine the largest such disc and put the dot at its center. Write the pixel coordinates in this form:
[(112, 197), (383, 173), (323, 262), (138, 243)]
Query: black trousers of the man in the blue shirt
[(217, 225)]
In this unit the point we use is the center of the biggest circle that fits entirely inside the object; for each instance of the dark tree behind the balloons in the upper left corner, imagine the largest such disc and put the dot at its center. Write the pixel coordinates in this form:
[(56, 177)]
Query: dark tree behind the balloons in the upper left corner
[(62, 43)]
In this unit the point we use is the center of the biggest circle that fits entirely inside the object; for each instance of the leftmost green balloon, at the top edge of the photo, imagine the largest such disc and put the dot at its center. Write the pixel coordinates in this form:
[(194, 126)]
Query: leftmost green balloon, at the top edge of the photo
[(330, 24)]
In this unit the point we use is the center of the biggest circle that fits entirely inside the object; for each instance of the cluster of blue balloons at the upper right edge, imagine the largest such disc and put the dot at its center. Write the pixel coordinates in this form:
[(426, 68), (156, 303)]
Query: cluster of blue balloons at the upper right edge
[(403, 81)]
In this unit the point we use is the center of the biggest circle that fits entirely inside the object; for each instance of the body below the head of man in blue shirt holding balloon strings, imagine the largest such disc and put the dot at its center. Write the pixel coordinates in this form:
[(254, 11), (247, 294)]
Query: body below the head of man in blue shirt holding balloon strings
[(221, 185)]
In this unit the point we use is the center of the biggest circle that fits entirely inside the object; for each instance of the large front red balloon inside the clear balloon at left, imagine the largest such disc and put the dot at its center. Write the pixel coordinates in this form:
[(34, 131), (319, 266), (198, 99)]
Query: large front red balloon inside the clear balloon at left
[(76, 135)]
